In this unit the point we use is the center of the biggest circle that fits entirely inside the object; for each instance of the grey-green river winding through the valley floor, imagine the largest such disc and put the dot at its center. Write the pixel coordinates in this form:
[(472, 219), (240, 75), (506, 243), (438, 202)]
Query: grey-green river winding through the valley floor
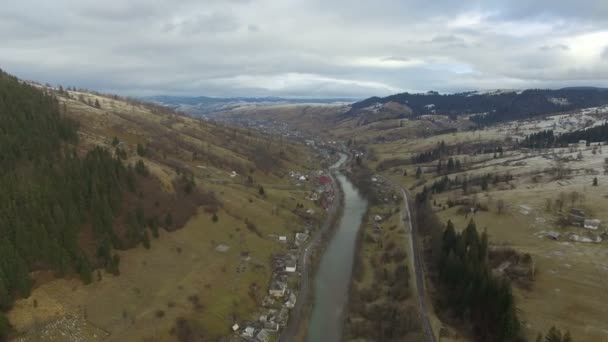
[(332, 280)]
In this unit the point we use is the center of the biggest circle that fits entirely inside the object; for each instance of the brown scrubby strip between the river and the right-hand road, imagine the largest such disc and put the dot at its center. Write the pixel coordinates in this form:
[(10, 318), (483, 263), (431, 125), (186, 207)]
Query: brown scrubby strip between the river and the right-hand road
[(381, 303)]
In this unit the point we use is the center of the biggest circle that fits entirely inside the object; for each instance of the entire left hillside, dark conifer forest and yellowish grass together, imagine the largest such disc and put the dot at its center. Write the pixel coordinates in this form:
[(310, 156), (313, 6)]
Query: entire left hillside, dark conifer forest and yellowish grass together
[(151, 197)]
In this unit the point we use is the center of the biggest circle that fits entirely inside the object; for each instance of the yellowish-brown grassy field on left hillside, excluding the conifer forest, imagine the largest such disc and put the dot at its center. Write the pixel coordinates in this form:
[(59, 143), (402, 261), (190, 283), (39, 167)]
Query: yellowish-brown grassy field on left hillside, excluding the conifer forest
[(203, 277)]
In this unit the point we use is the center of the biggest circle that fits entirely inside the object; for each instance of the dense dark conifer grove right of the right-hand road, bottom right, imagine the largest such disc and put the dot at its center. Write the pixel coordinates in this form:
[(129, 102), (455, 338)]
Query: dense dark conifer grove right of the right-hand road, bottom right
[(459, 267)]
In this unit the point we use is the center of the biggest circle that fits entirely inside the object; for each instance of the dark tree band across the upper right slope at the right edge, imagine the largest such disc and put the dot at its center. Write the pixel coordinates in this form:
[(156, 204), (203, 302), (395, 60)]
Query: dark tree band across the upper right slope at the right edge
[(548, 139)]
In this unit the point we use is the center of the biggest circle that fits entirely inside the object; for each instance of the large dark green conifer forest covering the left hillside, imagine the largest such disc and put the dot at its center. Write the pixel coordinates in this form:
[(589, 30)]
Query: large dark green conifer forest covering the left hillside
[(49, 192)]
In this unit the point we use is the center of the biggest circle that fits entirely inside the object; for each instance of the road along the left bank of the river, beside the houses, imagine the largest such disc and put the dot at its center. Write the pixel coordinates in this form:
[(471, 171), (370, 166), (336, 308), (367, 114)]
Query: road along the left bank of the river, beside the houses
[(304, 295)]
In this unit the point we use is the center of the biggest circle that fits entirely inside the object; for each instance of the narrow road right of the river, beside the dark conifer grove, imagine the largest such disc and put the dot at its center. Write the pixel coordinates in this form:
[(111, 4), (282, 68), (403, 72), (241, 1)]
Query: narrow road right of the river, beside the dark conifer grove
[(416, 263)]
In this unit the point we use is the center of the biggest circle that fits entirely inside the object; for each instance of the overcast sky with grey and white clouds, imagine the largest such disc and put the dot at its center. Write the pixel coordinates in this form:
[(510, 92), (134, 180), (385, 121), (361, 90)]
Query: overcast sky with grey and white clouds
[(305, 48)]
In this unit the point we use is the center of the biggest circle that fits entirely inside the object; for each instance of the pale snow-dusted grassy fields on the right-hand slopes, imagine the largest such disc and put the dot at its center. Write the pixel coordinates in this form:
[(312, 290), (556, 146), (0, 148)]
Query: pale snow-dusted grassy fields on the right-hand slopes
[(571, 276)]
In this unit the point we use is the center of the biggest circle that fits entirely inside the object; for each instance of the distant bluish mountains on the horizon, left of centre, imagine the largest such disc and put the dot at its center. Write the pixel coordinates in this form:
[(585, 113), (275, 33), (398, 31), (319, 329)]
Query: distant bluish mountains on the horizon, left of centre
[(209, 106)]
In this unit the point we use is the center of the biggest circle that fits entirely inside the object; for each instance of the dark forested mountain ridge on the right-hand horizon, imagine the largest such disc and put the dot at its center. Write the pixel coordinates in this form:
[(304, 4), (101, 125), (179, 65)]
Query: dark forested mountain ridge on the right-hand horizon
[(485, 107)]
